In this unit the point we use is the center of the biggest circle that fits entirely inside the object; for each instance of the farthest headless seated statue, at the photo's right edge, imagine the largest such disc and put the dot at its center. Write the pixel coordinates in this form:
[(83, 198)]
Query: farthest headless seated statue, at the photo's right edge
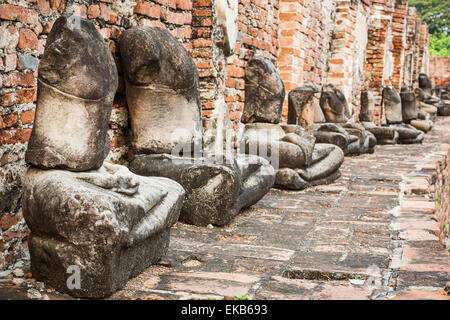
[(427, 95)]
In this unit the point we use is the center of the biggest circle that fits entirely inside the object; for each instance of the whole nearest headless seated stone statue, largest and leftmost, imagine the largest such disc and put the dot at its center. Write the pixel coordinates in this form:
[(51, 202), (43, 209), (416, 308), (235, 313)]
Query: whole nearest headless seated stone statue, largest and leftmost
[(87, 217)]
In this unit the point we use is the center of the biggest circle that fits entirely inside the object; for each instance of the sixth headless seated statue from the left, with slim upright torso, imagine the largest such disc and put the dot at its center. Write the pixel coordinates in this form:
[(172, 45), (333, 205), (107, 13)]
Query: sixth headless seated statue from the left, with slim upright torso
[(384, 134)]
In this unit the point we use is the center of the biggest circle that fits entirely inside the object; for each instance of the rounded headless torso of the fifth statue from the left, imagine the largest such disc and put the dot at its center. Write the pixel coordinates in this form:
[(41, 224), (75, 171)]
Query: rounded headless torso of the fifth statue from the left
[(334, 104)]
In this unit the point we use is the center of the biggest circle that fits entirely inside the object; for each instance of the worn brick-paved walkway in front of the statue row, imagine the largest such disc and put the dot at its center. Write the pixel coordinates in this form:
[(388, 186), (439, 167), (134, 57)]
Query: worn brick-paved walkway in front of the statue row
[(370, 235)]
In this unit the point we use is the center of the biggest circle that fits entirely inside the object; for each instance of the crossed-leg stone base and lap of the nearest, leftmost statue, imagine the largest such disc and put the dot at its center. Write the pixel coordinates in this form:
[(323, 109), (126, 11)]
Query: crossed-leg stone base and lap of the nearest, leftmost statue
[(108, 222)]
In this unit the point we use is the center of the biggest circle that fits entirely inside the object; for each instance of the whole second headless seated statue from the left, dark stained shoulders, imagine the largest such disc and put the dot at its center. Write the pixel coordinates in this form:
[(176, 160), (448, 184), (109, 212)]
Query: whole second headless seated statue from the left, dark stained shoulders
[(164, 105)]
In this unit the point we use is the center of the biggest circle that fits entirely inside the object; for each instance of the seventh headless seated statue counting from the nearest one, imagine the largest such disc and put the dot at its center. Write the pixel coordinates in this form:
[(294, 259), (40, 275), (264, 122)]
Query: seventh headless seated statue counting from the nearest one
[(392, 103)]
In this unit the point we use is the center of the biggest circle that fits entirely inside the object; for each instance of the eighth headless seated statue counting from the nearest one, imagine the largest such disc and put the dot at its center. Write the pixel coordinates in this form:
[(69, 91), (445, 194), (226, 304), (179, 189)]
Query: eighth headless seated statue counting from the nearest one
[(410, 112)]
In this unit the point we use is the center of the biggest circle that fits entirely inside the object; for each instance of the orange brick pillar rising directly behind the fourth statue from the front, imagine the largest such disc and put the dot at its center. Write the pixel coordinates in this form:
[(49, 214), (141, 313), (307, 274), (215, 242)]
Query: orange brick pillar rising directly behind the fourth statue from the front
[(305, 33)]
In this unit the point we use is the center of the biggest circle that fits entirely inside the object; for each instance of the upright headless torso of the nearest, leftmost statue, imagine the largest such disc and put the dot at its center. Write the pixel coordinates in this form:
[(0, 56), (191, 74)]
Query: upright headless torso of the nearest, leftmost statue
[(70, 127)]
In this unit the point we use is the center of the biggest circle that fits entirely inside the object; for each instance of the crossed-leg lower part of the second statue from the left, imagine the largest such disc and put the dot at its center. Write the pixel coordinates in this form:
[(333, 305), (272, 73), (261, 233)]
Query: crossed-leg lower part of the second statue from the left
[(216, 189)]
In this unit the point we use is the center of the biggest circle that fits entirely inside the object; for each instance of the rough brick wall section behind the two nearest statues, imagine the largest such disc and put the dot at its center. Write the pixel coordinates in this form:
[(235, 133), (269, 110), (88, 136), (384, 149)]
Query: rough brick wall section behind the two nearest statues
[(24, 29)]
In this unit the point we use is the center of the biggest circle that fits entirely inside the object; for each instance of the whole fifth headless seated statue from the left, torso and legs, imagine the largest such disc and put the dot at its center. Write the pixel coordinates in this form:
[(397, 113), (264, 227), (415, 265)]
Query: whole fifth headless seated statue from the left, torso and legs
[(350, 136)]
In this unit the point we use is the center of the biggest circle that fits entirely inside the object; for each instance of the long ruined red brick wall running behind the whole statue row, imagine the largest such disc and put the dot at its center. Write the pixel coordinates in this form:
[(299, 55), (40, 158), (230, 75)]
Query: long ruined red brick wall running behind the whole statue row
[(310, 41)]
